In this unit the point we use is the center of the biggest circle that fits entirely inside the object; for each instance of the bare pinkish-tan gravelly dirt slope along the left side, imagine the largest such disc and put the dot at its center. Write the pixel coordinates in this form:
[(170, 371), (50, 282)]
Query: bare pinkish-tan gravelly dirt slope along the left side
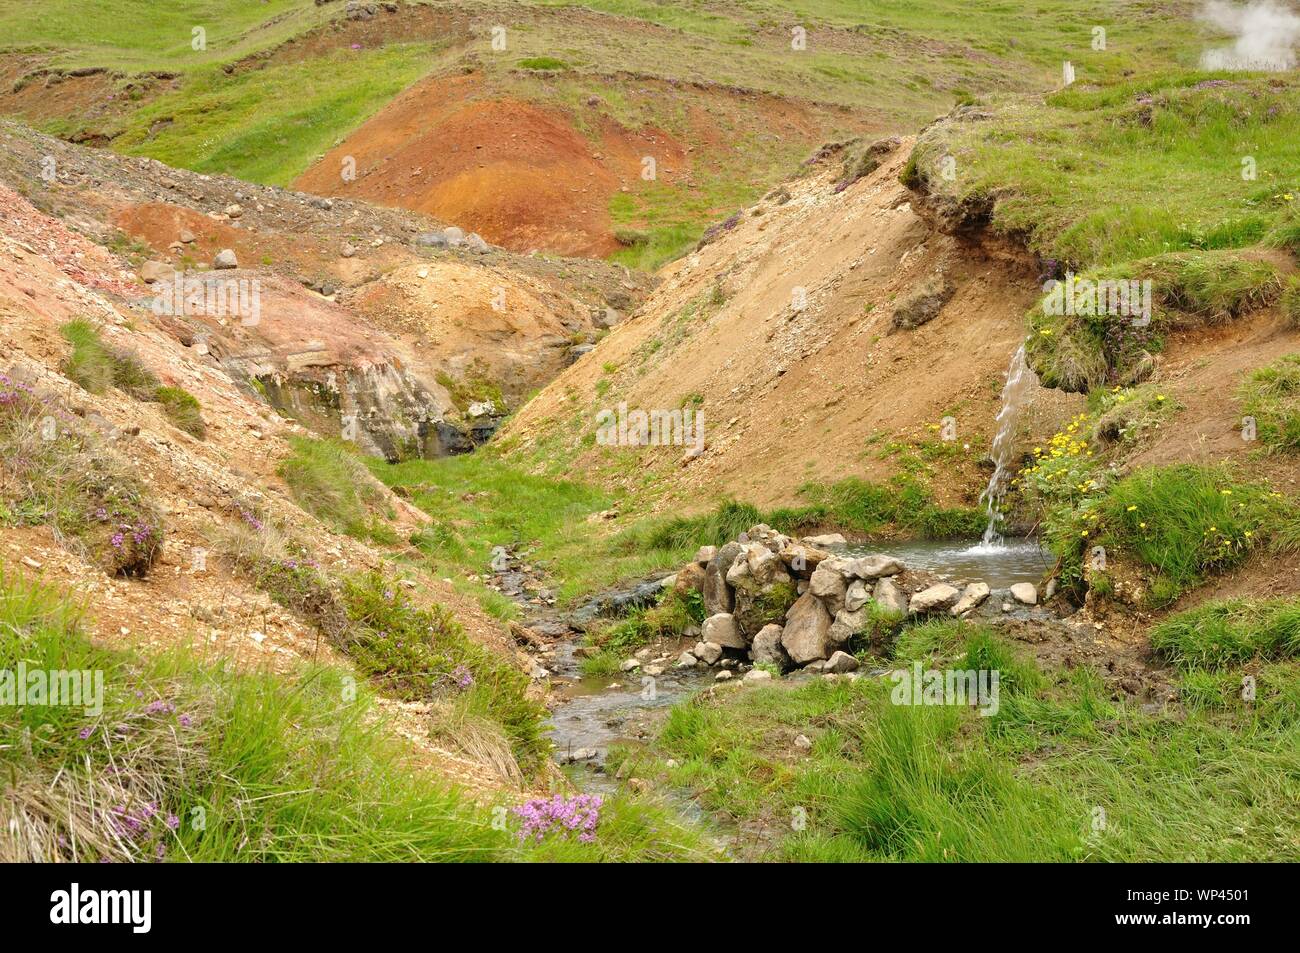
[(51, 275)]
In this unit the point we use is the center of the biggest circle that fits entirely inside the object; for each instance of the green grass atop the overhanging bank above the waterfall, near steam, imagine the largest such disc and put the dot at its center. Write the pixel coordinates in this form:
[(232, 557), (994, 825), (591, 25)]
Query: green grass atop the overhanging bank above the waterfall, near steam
[(1132, 170)]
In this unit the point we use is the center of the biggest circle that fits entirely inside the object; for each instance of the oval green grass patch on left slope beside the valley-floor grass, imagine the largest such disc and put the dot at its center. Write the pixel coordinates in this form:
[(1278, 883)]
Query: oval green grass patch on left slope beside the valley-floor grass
[(330, 480)]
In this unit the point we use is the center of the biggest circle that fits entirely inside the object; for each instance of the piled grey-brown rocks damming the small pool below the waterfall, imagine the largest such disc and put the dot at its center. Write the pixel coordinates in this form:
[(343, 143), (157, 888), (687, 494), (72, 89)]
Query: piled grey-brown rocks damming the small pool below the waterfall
[(796, 604)]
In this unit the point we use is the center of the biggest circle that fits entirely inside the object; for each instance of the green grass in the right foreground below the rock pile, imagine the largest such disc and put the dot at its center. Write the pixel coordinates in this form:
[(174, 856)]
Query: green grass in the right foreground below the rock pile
[(1059, 774)]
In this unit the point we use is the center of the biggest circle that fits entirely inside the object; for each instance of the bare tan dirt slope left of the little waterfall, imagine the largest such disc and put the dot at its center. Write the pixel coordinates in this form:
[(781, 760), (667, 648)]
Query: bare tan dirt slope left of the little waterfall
[(795, 392)]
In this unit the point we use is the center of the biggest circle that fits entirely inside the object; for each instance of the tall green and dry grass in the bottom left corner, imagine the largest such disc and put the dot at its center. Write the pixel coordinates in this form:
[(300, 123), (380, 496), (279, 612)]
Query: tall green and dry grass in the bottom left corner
[(218, 766)]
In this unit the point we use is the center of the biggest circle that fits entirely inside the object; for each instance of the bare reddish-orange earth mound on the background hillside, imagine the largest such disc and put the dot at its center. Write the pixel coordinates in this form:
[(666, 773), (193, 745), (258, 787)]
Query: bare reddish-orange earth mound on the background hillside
[(518, 174)]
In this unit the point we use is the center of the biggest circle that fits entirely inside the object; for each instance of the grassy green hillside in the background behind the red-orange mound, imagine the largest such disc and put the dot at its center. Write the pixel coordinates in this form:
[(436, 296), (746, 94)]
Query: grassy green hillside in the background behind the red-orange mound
[(297, 86)]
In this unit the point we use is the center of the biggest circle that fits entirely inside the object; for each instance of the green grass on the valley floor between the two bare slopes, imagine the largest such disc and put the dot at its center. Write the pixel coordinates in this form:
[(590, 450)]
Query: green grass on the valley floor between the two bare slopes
[(480, 503)]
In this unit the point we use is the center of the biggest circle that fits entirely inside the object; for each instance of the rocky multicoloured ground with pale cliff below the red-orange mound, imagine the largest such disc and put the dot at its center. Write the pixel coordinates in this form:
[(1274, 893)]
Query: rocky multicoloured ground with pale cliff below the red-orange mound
[(388, 311)]
